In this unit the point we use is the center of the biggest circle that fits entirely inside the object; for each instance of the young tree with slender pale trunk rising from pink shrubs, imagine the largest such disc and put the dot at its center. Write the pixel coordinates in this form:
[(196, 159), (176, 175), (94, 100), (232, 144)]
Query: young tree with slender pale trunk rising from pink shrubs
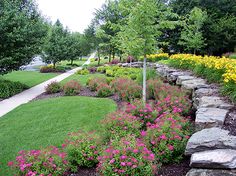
[(138, 36)]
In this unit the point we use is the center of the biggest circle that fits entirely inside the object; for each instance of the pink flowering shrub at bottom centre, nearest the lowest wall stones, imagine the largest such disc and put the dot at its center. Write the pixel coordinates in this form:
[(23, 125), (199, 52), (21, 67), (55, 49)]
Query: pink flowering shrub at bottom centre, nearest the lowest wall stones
[(127, 156)]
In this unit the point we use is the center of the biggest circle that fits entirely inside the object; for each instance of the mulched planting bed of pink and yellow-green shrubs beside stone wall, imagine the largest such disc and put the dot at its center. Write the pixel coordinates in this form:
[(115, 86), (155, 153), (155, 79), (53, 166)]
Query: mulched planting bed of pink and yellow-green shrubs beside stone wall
[(138, 138)]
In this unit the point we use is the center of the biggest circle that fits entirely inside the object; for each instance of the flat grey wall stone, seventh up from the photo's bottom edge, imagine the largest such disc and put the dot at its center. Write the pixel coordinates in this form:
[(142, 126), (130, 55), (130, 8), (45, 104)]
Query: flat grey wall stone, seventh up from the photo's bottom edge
[(194, 84)]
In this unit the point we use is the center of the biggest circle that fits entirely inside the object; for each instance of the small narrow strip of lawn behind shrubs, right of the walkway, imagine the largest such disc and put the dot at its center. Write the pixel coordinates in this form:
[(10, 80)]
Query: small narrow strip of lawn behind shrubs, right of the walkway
[(81, 78)]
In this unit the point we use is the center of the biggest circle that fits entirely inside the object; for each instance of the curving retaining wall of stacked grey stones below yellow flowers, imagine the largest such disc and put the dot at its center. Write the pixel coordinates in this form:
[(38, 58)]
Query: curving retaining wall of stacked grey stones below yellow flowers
[(212, 149)]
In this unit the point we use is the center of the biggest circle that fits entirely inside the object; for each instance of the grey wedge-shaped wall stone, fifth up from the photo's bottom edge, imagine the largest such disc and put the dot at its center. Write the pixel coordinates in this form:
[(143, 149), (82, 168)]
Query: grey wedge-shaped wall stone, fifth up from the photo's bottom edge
[(213, 102)]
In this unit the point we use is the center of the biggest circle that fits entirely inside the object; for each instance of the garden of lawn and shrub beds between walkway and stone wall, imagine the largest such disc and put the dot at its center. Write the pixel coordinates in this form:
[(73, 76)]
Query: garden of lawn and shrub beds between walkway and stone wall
[(126, 138)]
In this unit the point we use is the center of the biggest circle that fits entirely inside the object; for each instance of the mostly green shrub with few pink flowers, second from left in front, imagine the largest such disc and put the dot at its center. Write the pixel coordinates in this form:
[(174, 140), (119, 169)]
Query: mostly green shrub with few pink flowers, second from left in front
[(82, 149)]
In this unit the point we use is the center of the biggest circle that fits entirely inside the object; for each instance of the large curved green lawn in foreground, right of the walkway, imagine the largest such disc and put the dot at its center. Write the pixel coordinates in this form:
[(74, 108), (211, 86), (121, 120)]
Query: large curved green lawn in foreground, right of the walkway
[(47, 122)]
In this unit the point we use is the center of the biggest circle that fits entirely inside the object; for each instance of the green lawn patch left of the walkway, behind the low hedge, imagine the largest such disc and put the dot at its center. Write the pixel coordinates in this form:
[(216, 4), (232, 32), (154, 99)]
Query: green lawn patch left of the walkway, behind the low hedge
[(30, 78)]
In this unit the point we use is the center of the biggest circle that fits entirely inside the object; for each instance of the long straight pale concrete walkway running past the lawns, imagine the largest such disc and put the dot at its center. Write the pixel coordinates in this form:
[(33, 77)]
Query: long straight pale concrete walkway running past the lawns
[(29, 94)]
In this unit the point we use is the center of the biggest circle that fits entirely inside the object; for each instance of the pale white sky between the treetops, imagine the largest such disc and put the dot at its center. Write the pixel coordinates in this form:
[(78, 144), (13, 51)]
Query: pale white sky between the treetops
[(75, 14)]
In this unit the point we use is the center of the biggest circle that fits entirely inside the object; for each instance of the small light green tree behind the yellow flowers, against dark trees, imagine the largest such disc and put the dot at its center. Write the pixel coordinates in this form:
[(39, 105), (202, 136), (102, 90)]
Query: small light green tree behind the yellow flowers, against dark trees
[(191, 35)]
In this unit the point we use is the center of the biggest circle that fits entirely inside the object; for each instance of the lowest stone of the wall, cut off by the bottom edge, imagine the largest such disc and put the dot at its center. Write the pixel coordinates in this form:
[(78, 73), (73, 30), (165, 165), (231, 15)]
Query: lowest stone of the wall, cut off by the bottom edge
[(210, 172)]
